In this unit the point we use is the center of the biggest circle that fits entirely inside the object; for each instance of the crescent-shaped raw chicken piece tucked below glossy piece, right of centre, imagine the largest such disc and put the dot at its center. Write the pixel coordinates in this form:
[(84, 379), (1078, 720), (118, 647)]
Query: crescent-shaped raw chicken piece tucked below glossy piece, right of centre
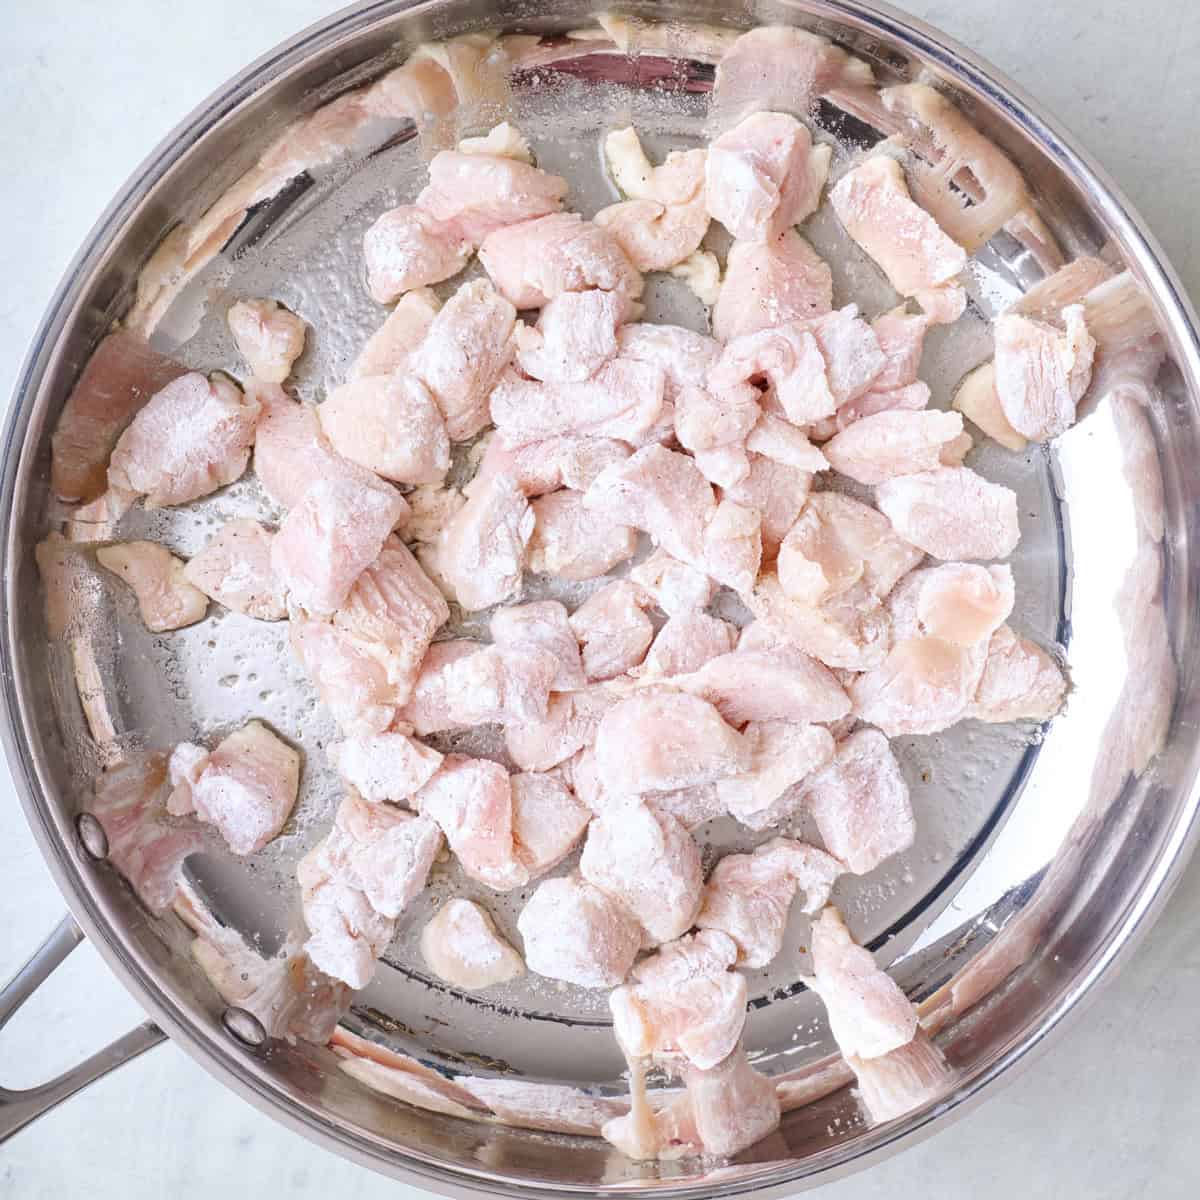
[(851, 632)]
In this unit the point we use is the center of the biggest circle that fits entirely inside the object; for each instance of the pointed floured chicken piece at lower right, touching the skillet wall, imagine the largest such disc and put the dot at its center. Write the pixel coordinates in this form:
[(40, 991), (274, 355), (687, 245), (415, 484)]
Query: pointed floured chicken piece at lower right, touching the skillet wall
[(869, 1016)]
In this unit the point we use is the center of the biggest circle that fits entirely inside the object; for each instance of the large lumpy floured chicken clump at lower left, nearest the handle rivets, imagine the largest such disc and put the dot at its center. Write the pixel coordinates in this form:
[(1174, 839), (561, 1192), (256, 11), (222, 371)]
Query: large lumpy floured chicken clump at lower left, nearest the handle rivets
[(358, 880)]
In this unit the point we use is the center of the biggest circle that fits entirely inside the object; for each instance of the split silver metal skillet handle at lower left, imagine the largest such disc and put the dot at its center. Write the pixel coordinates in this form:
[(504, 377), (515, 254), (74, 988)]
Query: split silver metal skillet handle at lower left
[(20, 1108)]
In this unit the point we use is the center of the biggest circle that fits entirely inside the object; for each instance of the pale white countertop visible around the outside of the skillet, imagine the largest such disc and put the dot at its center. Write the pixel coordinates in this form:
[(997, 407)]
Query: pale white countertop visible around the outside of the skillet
[(1109, 1112)]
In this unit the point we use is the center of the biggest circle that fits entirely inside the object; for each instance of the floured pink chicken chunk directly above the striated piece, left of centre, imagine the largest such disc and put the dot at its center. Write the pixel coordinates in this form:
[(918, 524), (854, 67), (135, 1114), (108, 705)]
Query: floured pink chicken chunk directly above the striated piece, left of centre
[(333, 536)]
